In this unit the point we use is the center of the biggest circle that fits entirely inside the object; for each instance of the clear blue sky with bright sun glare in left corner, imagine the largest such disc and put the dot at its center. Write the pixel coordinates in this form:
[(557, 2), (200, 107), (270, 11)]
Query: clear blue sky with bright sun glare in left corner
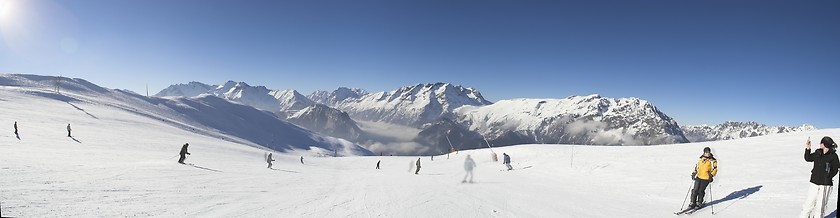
[(774, 62)]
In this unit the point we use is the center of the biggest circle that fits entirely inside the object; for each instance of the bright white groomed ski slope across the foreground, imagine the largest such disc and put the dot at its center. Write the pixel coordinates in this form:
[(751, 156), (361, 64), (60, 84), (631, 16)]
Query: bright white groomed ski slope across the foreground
[(122, 164)]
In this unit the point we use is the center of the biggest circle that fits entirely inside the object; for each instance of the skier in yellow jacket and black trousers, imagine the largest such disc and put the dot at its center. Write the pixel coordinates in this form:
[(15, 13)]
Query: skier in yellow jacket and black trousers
[(705, 169)]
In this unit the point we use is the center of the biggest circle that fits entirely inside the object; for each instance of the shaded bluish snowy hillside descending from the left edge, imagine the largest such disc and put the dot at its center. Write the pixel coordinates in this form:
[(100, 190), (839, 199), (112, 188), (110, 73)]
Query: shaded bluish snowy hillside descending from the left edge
[(206, 115)]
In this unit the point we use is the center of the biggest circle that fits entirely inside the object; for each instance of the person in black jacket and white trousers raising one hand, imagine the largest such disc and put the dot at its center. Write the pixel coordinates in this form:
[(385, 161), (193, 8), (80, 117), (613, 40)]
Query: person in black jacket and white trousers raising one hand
[(825, 168)]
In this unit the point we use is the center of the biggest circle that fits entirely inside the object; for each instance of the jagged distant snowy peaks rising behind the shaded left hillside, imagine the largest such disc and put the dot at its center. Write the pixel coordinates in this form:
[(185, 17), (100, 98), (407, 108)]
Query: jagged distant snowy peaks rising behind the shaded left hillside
[(260, 97)]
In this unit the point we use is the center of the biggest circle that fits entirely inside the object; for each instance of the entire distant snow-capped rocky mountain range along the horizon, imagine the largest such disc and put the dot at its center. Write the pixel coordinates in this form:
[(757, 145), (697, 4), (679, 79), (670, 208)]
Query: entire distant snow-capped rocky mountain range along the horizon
[(588, 120)]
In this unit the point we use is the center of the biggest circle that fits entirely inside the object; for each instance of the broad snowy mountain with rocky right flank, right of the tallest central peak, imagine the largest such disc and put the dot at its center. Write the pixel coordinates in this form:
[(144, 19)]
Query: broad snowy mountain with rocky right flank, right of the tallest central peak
[(585, 120)]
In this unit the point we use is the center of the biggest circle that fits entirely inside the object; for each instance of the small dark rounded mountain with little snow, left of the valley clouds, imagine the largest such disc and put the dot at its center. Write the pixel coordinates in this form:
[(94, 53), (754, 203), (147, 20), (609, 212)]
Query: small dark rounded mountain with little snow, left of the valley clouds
[(329, 121)]
